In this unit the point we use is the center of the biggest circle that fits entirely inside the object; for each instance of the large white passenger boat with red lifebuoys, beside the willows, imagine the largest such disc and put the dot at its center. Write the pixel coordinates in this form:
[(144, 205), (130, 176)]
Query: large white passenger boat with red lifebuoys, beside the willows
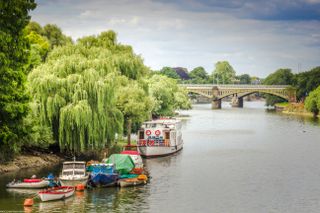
[(160, 137)]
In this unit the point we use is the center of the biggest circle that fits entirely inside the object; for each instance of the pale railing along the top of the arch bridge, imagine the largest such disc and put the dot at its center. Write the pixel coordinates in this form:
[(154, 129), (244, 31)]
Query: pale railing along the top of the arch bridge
[(242, 86)]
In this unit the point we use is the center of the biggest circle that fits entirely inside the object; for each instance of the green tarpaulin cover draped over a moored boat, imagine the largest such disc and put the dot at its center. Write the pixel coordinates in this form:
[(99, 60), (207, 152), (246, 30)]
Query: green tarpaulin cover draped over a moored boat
[(123, 163)]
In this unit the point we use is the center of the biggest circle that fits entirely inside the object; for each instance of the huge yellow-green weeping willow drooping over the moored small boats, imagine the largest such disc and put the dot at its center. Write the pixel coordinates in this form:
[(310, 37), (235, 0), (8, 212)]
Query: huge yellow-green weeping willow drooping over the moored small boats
[(75, 90)]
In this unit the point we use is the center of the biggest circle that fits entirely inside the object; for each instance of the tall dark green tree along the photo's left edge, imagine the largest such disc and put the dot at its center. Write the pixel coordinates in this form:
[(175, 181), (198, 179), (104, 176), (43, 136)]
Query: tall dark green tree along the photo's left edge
[(13, 59)]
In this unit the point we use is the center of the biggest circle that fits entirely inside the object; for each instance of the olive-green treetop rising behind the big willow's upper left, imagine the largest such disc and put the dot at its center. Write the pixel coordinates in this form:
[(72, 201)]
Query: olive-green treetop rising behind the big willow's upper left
[(55, 36)]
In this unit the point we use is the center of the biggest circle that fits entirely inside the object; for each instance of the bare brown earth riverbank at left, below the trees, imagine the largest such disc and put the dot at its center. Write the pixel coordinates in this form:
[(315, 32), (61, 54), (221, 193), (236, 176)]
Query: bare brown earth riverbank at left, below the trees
[(33, 160)]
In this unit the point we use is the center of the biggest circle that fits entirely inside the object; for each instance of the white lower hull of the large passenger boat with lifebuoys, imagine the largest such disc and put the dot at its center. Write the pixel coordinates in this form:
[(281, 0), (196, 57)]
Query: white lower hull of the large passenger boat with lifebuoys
[(158, 151)]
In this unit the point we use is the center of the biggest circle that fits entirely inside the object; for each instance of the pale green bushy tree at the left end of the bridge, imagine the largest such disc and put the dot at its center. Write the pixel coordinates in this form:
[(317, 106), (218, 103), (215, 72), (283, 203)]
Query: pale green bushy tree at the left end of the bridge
[(167, 96)]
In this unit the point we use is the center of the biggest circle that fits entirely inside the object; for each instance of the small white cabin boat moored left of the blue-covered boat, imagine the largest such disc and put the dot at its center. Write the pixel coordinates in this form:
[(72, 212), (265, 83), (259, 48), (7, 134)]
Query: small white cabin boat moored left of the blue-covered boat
[(73, 173)]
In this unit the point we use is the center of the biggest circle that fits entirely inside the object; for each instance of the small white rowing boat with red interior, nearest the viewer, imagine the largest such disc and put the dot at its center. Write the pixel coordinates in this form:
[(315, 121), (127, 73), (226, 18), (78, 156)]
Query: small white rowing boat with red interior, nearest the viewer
[(56, 193)]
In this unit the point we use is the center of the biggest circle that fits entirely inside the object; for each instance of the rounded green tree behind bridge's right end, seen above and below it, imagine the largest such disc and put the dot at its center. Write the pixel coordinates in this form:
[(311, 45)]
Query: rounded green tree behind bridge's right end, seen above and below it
[(279, 77)]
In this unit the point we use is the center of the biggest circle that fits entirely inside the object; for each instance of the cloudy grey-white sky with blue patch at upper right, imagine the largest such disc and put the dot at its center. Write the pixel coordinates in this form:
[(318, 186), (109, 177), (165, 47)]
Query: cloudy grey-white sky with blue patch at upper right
[(256, 37)]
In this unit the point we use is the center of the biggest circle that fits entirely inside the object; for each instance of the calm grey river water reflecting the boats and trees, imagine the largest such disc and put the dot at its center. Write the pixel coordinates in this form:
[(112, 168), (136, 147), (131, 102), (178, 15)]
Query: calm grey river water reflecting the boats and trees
[(234, 160)]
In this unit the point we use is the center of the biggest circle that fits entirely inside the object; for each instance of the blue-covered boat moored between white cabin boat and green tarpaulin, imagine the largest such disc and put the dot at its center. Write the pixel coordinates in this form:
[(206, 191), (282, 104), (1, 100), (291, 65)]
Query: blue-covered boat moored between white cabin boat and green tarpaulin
[(103, 175)]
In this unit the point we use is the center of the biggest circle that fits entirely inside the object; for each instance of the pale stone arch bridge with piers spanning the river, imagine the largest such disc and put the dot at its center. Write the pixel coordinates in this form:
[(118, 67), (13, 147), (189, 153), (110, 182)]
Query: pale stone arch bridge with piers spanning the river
[(216, 92)]
